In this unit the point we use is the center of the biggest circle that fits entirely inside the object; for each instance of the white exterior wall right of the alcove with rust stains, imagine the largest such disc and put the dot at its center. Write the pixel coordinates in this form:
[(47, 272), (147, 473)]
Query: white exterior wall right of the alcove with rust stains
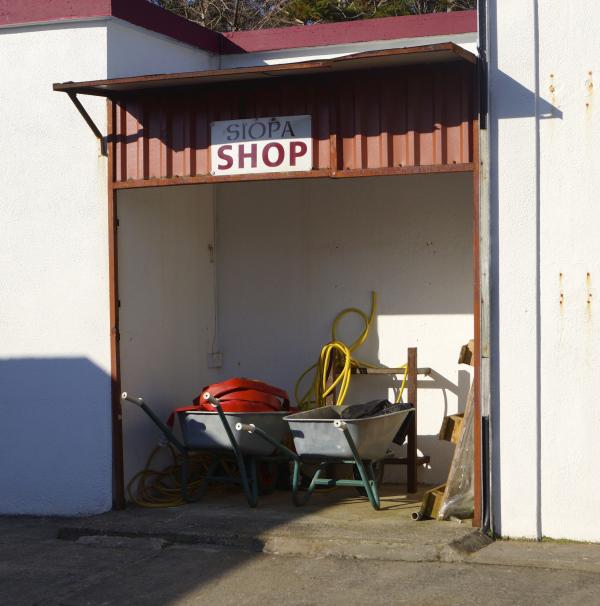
[(546, 260)]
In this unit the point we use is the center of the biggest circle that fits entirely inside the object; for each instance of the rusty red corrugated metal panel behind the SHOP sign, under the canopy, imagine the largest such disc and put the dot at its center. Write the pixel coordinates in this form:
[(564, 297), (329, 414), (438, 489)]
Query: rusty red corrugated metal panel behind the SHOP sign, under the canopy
[(379, 119)]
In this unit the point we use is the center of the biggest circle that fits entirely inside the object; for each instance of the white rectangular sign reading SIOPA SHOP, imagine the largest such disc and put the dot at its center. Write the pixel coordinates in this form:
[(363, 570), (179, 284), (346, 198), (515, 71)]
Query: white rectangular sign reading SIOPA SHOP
[(261, 145)]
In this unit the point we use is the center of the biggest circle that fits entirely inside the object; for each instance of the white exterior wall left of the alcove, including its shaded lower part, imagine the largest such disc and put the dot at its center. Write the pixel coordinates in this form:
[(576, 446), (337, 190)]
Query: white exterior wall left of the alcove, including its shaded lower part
[(54, 323)]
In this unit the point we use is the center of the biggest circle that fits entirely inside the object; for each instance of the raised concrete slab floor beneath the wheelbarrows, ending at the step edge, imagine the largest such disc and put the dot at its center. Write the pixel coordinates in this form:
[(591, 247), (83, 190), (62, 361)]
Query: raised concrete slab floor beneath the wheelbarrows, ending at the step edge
[(333, 523)]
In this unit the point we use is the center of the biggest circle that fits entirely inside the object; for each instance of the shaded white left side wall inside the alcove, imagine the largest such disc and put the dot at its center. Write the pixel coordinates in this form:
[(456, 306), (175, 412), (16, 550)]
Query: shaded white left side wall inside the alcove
[(166, 289)]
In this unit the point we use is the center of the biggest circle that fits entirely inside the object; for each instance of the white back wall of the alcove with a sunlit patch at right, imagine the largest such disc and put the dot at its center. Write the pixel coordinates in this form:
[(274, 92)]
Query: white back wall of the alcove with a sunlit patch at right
[(292, 254)]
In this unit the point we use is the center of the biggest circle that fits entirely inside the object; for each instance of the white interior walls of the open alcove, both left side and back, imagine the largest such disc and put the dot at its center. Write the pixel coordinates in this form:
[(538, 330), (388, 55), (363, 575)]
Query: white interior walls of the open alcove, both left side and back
[(290, 256)]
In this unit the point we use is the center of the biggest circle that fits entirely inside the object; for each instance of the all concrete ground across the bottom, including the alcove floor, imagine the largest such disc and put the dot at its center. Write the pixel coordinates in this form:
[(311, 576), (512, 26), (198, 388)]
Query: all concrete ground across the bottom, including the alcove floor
[(336, 551)]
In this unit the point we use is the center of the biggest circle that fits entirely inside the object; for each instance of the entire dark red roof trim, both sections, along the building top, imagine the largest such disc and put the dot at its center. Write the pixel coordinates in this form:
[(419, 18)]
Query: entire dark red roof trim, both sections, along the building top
[(146, 15)]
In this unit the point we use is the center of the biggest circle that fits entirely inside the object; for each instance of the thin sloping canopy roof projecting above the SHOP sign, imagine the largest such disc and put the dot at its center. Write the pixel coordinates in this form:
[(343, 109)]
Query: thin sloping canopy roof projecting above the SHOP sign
[(434, 53)]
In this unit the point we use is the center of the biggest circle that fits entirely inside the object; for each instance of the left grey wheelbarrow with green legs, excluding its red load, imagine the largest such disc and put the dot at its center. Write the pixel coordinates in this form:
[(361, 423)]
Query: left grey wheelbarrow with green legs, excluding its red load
[(214, 432)]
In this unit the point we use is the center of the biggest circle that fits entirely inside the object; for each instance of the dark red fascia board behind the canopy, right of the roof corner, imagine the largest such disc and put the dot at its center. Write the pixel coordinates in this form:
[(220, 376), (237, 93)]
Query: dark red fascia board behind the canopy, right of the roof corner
[(387, 28)]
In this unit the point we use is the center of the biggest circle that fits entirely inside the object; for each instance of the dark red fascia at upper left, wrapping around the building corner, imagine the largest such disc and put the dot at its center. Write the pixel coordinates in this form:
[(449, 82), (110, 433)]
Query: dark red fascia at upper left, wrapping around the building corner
[(137, 12)]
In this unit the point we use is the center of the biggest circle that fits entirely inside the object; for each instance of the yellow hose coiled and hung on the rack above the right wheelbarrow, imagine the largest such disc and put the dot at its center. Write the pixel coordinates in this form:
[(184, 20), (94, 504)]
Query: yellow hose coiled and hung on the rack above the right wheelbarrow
[(337, 351)]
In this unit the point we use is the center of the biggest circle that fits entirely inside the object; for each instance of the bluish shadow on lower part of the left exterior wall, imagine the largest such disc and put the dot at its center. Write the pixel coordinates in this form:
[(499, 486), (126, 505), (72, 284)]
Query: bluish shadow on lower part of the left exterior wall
[(55, 437)]
